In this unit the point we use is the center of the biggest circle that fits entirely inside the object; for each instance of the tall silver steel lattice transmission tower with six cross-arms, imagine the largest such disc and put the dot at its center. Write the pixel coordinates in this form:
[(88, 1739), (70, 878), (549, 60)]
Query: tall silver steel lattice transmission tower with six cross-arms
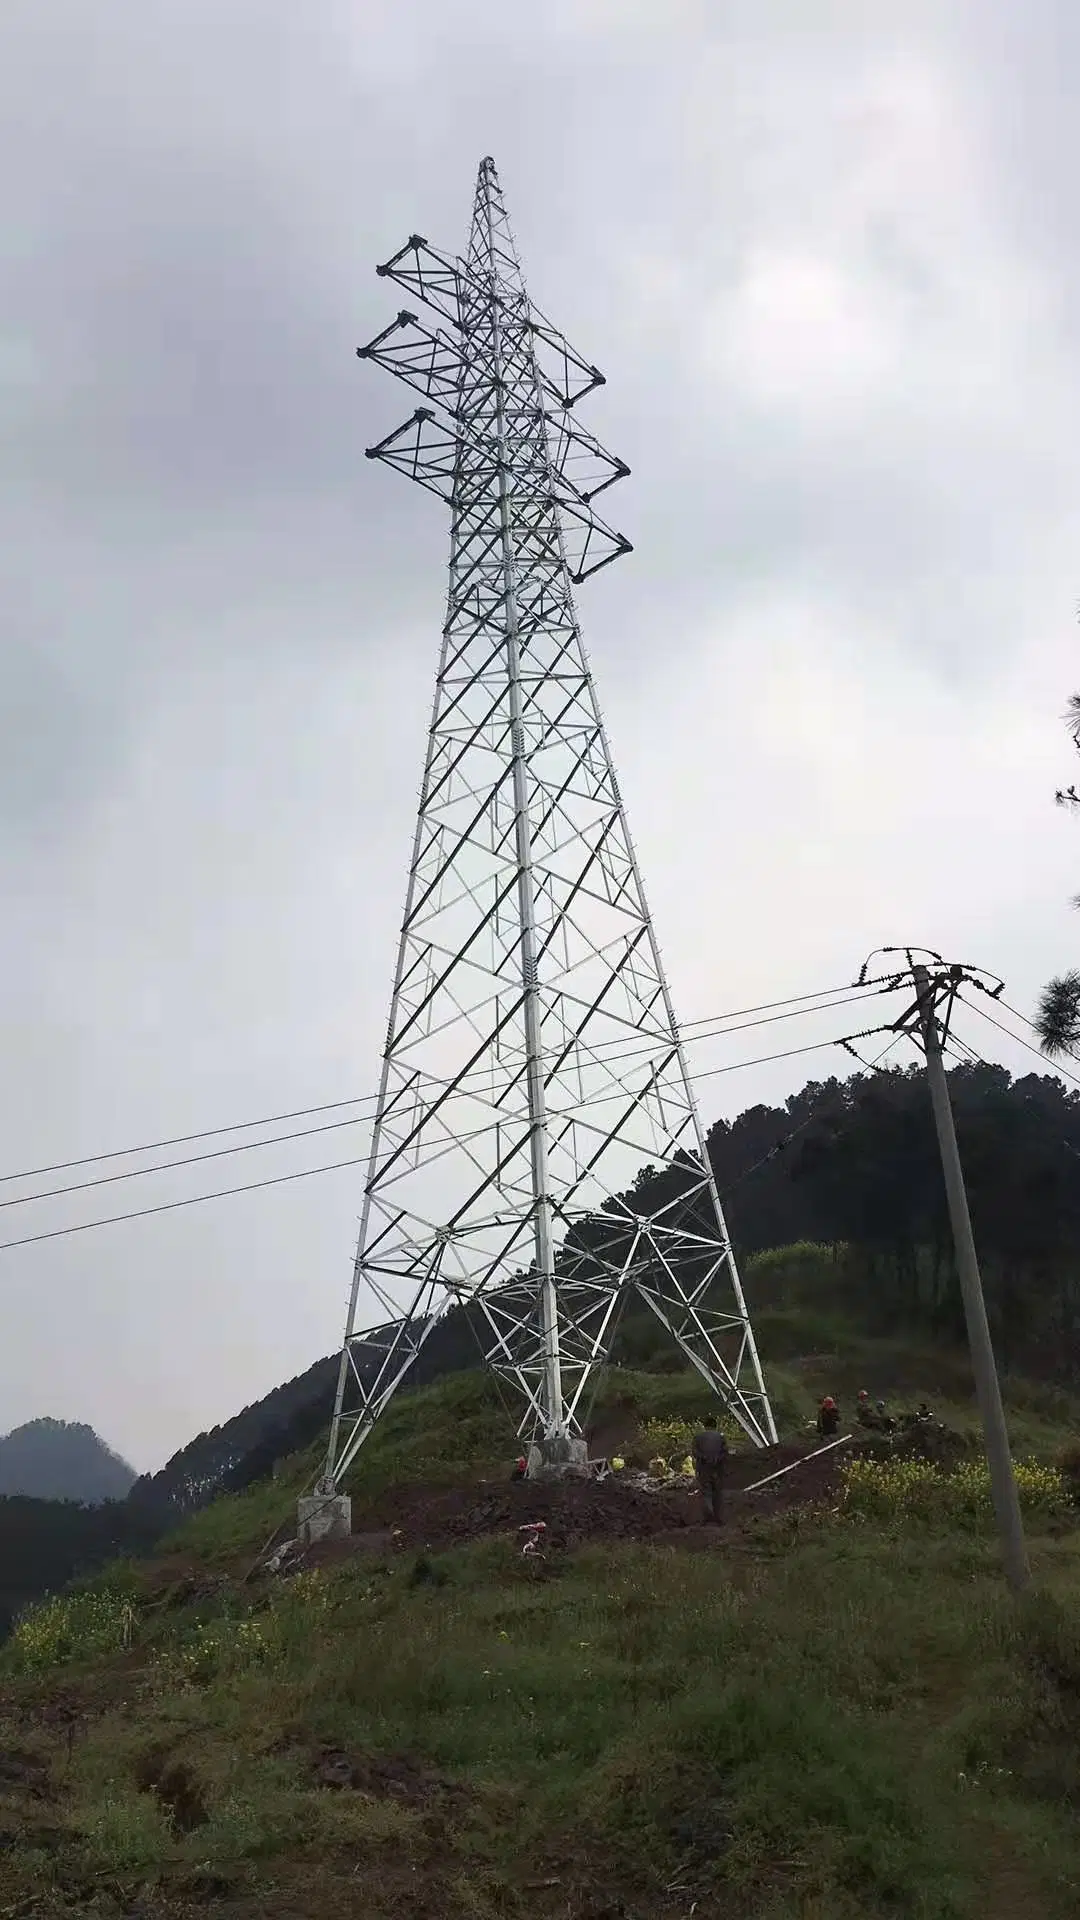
[(533, 1065)]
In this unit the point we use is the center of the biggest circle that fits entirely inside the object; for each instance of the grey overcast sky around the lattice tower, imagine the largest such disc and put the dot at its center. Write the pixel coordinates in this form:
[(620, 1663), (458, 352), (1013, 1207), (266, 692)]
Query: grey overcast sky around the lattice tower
[(827, 256)]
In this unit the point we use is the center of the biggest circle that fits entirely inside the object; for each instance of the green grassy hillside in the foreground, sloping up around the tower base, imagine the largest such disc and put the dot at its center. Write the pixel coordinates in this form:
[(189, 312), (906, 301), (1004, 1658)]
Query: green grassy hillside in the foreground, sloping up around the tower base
[(820, 1716)]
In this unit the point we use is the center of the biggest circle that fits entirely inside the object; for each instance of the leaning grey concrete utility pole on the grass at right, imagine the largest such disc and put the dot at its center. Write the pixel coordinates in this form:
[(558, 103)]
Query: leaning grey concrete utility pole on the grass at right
[(987, 1385)]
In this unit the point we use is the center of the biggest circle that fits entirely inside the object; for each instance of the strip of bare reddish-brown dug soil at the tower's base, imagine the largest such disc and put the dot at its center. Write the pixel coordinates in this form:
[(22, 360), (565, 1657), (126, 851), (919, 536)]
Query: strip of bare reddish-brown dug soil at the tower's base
[(577, 1512)]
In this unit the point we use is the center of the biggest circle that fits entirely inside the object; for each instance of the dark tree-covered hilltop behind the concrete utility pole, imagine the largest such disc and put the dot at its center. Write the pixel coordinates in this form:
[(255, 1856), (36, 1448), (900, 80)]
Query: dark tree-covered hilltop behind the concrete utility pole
[(856, 1163)]
